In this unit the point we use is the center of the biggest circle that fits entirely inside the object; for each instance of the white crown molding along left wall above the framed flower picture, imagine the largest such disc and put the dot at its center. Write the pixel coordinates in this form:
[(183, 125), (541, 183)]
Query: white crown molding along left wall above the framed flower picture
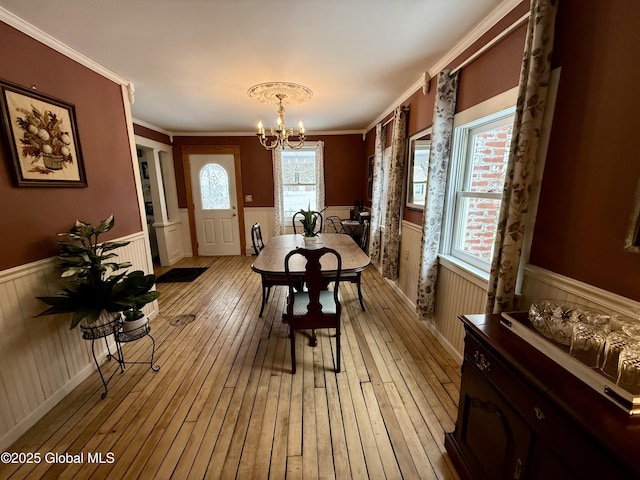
[(43, 37)]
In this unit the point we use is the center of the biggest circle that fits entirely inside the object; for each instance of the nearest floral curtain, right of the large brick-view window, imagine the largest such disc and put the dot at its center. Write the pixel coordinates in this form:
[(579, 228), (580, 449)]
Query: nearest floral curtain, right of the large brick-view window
[(521, 165)]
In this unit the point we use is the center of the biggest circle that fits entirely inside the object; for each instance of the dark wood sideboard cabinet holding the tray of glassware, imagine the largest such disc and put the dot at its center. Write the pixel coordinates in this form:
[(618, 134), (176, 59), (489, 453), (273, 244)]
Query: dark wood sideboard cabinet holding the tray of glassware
[(523, 416)]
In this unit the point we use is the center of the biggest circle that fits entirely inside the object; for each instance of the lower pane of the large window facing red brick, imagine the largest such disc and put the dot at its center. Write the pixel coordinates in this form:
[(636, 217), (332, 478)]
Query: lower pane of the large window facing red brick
[(478, 218)]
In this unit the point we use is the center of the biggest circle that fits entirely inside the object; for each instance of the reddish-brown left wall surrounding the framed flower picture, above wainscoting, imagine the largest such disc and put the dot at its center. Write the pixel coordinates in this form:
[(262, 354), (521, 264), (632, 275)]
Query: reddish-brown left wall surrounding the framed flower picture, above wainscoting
[(30, 216)]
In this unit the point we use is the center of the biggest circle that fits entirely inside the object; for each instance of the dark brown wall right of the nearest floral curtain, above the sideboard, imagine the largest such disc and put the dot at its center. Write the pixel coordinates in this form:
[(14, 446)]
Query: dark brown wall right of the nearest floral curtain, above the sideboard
[(592, 166)]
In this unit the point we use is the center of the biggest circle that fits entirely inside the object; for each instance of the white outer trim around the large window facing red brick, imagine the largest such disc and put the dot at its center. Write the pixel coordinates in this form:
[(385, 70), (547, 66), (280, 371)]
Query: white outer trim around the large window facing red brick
[(486, 111)]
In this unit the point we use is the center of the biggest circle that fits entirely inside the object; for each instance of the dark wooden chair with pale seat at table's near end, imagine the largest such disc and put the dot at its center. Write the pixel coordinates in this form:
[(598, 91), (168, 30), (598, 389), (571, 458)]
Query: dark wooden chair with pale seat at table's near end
[(316, 307)]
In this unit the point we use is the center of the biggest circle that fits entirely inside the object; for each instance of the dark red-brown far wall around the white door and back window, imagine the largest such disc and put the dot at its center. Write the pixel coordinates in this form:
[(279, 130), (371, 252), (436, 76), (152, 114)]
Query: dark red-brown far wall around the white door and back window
[(344, 157)]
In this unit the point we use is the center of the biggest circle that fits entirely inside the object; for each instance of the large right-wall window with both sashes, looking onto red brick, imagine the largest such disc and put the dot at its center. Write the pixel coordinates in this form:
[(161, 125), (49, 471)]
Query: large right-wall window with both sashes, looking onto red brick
[(481, 150)]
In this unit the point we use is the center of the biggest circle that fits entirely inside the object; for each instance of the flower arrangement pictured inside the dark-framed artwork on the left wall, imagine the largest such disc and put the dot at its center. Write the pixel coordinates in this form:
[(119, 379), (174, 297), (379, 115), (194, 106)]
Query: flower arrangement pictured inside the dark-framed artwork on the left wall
[(43, 137)]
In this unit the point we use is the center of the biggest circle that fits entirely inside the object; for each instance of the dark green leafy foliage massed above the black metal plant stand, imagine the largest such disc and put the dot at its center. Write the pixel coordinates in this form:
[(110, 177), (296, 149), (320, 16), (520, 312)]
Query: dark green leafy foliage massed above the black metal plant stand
[(93, 280)]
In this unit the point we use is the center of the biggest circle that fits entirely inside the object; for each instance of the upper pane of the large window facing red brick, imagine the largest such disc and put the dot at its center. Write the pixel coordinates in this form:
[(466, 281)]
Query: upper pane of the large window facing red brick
[(489, 152)]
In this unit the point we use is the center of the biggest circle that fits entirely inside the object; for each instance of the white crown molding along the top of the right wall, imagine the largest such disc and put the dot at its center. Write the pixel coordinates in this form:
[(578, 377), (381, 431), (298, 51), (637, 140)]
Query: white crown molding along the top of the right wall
[(483, 27)]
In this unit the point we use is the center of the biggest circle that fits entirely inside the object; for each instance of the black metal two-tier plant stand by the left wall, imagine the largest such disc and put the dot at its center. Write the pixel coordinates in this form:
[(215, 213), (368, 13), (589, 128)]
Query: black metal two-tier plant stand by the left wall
[(114, 327)]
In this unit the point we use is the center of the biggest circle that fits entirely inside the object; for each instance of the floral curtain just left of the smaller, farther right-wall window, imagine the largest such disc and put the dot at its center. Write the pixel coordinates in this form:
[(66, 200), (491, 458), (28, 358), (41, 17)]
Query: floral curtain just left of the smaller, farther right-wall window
[(391, 243)]
